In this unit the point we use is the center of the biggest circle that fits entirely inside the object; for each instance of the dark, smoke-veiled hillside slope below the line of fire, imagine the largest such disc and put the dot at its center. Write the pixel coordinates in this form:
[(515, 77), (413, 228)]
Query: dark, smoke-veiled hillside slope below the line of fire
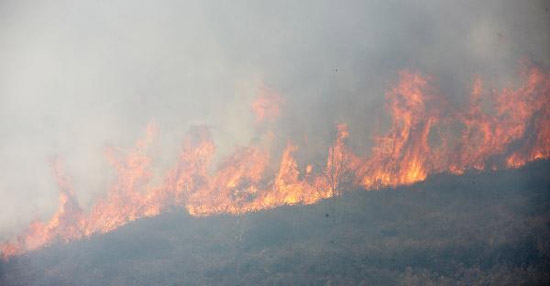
[(489, 228)]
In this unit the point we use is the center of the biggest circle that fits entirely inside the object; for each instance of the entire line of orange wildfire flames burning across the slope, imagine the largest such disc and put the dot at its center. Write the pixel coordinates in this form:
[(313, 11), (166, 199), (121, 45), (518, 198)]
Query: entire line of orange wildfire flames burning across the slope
[(515, 130)]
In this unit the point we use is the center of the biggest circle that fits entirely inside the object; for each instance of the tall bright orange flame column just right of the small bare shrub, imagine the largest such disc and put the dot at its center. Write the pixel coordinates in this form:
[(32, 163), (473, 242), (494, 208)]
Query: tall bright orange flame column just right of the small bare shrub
[(403, 156)]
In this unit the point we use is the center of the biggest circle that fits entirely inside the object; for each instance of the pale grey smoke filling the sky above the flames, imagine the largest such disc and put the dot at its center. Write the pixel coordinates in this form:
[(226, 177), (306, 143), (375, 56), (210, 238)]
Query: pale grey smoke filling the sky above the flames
[(77, 77)]
